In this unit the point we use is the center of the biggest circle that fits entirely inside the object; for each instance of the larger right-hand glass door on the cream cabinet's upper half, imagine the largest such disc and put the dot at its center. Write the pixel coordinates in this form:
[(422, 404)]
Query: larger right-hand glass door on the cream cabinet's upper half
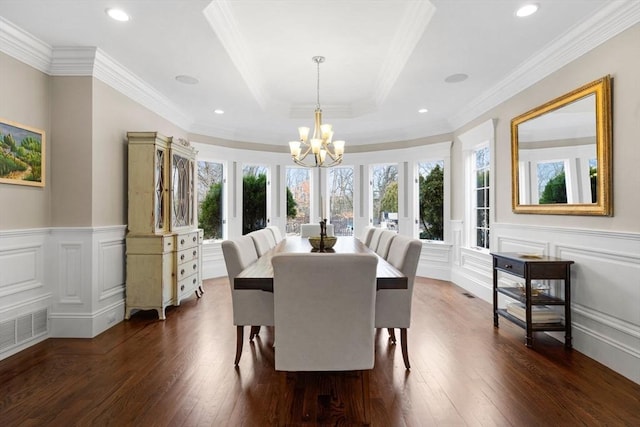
[(182, 198)]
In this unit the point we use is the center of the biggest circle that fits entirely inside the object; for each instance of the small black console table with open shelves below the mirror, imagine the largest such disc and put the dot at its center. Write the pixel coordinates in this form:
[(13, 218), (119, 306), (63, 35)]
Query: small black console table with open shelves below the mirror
[(533, 267)]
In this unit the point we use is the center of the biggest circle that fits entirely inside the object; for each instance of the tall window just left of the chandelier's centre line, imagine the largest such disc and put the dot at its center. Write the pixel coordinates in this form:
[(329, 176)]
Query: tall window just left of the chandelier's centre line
[(298, 199)]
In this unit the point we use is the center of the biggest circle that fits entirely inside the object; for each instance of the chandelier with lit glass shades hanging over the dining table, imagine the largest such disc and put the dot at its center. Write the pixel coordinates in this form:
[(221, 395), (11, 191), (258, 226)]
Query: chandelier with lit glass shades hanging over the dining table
[(326, 153)]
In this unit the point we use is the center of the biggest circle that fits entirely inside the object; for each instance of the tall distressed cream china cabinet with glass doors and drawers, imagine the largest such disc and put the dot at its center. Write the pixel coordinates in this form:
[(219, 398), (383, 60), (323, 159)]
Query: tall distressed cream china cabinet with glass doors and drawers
[(164, 245)]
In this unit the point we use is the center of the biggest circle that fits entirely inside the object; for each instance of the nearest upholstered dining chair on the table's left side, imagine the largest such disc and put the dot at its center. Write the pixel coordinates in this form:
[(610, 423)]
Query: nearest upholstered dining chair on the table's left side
[(250, 307)]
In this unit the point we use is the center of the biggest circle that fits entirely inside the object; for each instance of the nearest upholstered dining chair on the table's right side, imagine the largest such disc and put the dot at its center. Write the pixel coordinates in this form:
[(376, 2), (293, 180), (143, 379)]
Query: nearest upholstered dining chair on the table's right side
[(393, 306)]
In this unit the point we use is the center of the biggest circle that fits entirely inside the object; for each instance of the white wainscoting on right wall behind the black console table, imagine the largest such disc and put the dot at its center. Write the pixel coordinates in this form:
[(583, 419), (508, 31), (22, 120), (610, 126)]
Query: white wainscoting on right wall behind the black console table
[(605, 287)]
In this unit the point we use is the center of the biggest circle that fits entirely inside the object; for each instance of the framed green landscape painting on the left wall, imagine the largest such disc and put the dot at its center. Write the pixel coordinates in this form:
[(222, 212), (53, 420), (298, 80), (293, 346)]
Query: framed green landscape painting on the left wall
[(22, 154)]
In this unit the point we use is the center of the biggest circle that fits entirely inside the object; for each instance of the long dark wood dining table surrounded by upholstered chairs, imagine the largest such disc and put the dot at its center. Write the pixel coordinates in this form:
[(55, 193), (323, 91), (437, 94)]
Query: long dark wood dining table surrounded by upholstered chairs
[(259, 275)]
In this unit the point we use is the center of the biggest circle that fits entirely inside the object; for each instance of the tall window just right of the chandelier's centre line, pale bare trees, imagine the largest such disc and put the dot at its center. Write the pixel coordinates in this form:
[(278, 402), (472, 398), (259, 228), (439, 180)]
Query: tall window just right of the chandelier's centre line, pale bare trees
[(341, 200)]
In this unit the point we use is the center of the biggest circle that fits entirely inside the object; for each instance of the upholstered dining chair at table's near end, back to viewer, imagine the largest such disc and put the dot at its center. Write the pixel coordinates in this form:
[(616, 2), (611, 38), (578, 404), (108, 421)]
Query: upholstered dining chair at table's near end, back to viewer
[(315, 296)]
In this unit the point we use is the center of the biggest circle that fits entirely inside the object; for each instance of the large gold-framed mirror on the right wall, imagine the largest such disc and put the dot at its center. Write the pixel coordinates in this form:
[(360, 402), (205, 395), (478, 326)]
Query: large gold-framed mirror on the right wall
[(561, 154)]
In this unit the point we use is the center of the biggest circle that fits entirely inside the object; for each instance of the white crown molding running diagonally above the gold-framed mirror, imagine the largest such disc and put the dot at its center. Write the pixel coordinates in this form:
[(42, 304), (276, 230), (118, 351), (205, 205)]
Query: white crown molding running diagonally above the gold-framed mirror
[(611, 20)]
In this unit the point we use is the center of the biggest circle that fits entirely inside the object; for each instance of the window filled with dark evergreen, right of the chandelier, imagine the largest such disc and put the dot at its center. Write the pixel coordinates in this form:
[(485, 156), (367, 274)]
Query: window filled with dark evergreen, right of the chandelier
[(431, 199)]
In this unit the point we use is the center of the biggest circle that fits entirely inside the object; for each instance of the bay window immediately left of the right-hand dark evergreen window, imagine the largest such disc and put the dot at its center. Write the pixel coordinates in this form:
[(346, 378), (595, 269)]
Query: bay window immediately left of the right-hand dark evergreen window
[(384, 196)]
